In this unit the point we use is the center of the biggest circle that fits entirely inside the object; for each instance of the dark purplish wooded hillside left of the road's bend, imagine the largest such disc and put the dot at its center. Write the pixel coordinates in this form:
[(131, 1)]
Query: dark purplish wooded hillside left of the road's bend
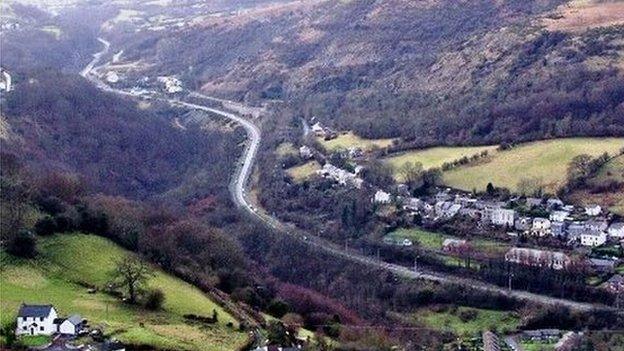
[(60, 122)]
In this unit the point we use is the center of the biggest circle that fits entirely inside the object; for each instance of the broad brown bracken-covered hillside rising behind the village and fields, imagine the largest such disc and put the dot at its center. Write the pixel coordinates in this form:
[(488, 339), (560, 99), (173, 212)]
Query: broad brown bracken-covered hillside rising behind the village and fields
[(433, 71)]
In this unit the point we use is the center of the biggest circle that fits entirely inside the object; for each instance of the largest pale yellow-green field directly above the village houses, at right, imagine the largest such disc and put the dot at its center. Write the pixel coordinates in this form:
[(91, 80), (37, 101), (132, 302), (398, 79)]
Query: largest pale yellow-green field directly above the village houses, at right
[(543, 160)]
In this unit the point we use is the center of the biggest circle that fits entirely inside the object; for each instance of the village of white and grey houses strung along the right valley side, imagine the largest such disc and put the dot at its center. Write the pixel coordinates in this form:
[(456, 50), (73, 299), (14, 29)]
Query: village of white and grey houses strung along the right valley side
[(543, 231)]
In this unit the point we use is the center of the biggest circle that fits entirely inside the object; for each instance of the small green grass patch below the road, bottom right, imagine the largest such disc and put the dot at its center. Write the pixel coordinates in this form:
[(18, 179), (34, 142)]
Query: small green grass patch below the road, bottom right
[(468, 321)]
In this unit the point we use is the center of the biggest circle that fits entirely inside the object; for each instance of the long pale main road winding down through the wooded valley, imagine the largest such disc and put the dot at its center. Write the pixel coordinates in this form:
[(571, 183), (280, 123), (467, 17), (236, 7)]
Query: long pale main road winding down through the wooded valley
[(239, 195)]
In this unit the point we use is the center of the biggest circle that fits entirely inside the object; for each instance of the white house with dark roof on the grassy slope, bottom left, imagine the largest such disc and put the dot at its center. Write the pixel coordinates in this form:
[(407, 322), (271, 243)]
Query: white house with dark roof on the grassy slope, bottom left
[(36, 320)]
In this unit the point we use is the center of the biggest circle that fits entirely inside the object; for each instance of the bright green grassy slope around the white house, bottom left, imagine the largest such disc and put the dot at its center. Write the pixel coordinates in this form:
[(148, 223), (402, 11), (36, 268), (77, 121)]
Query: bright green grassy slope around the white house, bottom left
[(67, 262)]
